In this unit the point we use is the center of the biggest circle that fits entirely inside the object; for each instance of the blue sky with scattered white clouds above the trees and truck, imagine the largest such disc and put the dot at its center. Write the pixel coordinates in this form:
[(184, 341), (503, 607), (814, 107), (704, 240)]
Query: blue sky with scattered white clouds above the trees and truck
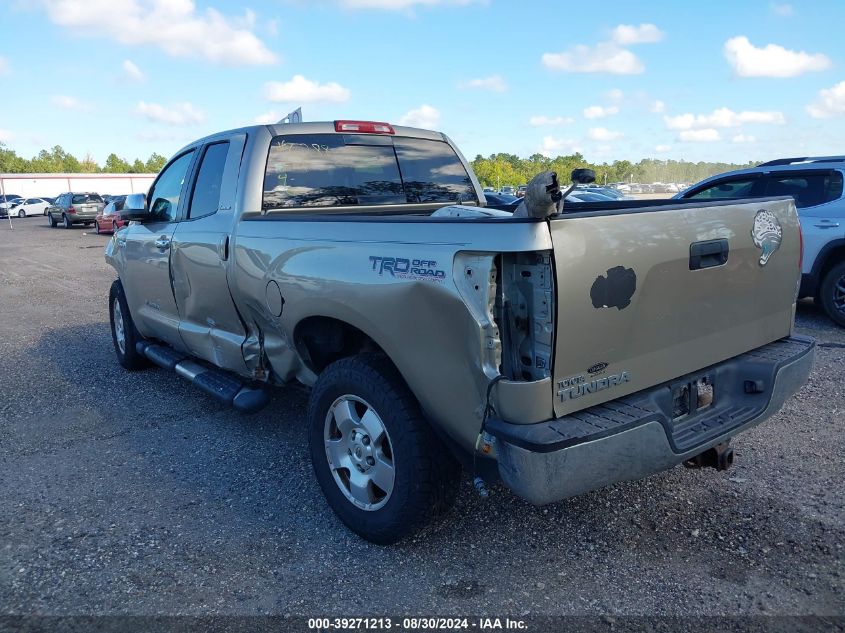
[(728, 81)]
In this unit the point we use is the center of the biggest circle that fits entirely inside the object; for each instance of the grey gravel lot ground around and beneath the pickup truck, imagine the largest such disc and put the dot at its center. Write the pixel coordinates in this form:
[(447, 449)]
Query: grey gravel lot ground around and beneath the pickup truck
[(136, 494)]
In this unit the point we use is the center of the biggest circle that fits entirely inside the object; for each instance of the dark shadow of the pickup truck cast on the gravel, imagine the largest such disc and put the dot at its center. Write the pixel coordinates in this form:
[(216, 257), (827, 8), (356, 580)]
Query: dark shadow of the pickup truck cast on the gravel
[(247, 480)]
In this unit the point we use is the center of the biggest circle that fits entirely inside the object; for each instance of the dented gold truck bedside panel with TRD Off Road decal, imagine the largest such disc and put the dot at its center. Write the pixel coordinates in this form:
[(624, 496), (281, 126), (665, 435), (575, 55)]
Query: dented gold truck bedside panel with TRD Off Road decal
[(335, 269)]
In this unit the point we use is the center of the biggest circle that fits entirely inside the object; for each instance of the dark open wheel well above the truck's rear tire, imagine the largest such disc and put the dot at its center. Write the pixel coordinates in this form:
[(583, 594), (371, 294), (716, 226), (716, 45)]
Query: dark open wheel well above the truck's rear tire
[(321, 341)]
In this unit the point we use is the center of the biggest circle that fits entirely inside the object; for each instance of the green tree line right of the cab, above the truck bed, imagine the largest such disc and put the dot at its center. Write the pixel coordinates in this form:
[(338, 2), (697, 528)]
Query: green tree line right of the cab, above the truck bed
[(502, 169)]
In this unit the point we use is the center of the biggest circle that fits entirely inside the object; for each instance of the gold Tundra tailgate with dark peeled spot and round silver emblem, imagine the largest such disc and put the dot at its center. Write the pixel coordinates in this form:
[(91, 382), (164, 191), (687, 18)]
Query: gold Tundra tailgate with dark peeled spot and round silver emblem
[(647, 295)]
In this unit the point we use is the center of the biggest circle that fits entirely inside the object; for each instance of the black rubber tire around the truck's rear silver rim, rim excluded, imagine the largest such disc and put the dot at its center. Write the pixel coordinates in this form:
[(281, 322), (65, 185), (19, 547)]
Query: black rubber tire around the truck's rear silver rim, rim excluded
[(426, 473)]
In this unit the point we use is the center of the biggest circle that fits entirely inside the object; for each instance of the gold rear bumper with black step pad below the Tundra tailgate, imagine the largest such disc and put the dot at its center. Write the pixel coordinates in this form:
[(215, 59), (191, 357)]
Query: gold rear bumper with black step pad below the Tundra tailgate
[(636, 436)]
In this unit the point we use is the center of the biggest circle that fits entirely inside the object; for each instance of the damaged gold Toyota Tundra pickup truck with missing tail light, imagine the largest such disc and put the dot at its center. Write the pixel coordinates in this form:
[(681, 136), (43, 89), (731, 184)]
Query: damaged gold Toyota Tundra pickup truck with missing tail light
[(558, 349)]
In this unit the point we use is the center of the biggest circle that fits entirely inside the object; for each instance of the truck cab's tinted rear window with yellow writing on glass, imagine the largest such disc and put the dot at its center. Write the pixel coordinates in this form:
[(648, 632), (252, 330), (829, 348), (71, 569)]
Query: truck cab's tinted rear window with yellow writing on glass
[(331, 170)]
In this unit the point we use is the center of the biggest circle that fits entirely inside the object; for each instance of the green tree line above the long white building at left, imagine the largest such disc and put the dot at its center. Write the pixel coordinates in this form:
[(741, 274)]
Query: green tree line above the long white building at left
[(57, 160)]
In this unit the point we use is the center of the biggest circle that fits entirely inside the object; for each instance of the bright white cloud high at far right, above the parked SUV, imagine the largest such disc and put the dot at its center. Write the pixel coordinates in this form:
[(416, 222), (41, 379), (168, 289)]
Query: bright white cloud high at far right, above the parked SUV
[(772, 60)]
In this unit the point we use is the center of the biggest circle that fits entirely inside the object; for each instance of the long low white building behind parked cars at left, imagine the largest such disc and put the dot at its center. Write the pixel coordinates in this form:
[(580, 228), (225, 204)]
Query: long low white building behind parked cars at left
[(34, 185)]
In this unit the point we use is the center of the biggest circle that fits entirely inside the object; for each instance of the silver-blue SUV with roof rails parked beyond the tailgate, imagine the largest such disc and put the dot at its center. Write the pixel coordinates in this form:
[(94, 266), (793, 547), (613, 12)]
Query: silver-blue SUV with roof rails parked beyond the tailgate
[(816, 185)]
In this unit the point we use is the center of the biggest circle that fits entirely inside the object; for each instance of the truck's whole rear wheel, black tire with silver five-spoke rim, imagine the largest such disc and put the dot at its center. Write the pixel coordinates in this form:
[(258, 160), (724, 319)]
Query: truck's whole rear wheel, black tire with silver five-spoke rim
[(423, 477)]
